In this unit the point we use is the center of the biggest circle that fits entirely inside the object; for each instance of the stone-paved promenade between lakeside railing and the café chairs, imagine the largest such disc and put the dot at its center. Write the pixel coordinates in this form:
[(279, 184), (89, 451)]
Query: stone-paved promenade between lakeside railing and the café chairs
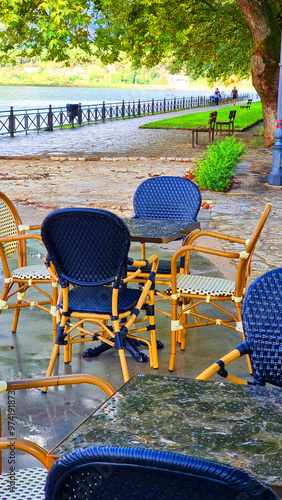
[(102, 165)]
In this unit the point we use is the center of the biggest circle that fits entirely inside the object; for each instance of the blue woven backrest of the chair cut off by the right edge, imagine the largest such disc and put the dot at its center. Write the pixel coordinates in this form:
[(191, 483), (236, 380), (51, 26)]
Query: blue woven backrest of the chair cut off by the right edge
[(262, 323)]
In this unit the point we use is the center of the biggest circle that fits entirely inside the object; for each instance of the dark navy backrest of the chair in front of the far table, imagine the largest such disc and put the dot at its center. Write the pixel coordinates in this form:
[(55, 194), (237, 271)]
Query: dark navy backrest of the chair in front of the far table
[(87, 246)]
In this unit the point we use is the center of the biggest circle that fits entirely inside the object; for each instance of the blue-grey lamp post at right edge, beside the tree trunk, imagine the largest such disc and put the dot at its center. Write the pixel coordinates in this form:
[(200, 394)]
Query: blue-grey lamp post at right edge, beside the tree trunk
[(275, 178)]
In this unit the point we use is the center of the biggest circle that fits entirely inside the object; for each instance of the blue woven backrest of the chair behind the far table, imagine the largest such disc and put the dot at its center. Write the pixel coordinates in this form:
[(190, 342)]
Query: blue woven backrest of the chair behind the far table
[(167, 197)]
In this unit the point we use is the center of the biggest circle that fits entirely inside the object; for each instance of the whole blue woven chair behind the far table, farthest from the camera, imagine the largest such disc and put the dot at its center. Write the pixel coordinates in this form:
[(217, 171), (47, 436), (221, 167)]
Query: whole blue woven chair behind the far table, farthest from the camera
[(165, 198)]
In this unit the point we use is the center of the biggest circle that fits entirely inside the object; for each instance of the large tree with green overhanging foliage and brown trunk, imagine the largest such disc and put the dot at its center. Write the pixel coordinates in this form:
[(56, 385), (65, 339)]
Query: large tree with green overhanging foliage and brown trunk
[(213, 38)]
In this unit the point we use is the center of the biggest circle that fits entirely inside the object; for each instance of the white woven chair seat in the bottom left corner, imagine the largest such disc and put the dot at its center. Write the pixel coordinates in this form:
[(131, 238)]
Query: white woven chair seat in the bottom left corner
[(29, 485)]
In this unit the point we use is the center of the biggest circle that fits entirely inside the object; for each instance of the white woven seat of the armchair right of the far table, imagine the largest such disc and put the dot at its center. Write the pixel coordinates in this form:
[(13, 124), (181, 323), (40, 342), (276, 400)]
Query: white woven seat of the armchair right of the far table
[(201, 285)]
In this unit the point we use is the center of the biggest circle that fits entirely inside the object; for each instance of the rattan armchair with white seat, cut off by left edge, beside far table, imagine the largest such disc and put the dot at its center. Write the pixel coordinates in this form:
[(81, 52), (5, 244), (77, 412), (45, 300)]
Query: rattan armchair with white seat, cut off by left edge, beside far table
[(13, 241)]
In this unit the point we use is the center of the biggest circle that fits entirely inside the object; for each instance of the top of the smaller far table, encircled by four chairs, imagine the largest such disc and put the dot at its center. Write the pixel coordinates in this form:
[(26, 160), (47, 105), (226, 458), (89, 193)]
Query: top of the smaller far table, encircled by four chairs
[(159, 230)]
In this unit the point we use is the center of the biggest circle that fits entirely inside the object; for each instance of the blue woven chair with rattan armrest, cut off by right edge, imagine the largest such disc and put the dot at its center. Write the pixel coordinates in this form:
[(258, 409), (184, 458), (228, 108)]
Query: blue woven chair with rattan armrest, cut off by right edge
[(262, 335)]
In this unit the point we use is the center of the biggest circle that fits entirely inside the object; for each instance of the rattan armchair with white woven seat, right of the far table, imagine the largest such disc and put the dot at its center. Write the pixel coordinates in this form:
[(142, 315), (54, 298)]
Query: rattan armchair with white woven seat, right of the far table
[(190, 293)]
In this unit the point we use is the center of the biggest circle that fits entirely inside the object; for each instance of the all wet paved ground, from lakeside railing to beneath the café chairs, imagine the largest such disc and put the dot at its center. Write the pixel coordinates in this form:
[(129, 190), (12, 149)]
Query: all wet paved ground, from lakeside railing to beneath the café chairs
[(101, 166)]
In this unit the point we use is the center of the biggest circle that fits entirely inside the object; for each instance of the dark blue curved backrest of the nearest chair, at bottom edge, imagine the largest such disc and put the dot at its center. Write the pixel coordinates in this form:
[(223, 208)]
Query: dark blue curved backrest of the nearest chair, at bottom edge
[(117, 473)]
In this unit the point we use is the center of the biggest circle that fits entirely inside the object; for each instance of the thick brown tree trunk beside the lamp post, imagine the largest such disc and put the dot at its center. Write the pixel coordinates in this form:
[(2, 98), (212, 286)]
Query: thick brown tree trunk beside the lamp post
[(261, 16)]
